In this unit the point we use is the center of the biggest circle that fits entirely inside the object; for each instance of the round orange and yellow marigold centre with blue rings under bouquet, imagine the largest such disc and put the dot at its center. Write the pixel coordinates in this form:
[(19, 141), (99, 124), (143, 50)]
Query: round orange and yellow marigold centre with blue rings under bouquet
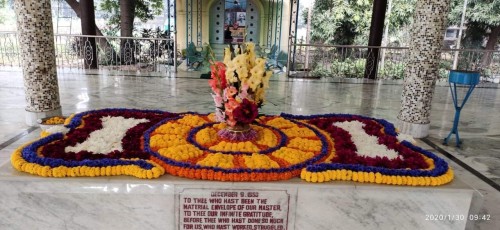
[(202, 154)]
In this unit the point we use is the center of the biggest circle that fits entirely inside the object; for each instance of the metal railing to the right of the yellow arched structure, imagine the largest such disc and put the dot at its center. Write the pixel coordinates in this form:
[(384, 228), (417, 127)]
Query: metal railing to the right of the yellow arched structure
[(349, 61)]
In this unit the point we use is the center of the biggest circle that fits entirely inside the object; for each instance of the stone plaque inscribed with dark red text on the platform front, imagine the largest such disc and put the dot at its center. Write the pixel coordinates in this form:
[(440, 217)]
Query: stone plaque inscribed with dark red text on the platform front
[(233, 209)]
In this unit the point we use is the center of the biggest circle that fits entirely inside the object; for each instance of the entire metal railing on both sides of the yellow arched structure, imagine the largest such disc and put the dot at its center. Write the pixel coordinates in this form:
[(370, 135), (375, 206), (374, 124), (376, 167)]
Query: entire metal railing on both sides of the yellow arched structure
[(158, 55)]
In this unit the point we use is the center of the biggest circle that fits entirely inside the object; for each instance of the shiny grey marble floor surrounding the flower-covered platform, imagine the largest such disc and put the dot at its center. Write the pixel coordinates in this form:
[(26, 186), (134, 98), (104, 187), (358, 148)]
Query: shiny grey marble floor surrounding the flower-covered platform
[(479, 124)]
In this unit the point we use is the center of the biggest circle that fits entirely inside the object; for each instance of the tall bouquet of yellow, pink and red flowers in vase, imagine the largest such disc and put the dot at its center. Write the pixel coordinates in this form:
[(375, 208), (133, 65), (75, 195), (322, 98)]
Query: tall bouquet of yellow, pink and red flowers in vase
[(239, 84)]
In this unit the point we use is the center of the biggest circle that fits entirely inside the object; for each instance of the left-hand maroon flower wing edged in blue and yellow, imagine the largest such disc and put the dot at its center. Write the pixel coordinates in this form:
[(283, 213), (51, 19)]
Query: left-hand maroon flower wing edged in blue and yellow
[(50, 157)]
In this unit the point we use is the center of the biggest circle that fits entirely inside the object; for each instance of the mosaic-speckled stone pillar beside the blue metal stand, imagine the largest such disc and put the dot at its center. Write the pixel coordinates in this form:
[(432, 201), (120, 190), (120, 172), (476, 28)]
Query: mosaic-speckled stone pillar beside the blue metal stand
[(422, 66)]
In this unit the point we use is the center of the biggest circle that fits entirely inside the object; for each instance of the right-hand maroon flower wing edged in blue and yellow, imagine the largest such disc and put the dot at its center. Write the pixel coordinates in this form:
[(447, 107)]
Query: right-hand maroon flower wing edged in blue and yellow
[(414, 166)]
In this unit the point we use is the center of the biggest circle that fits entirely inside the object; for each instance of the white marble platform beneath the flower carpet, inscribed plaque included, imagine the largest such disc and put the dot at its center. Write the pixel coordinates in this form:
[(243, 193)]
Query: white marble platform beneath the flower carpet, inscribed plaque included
[(29, 202)]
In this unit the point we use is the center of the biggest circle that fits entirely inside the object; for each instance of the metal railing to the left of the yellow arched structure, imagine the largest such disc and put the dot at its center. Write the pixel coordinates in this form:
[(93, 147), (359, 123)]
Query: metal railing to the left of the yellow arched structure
[(113, 53)]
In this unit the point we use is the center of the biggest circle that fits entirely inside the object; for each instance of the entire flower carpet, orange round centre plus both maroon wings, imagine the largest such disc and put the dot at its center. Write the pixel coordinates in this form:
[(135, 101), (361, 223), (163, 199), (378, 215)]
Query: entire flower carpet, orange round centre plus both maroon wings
[(150, 143)]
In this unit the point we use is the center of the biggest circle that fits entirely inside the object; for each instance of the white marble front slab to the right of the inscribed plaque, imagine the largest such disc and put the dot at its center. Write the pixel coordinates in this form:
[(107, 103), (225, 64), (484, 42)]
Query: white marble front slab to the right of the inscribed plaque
[(381, 207)]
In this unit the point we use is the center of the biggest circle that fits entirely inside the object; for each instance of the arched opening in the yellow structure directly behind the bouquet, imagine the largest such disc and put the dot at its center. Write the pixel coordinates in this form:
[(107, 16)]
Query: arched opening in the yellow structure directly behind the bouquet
[(234, 21)]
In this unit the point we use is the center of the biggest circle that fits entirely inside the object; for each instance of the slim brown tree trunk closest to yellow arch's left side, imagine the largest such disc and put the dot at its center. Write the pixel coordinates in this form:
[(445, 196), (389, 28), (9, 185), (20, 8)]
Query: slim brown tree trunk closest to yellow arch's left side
[(127, 13)]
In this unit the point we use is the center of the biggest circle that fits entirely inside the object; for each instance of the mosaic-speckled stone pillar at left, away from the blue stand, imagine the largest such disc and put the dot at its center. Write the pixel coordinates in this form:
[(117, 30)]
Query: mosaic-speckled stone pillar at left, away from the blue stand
[(36, 39)]
